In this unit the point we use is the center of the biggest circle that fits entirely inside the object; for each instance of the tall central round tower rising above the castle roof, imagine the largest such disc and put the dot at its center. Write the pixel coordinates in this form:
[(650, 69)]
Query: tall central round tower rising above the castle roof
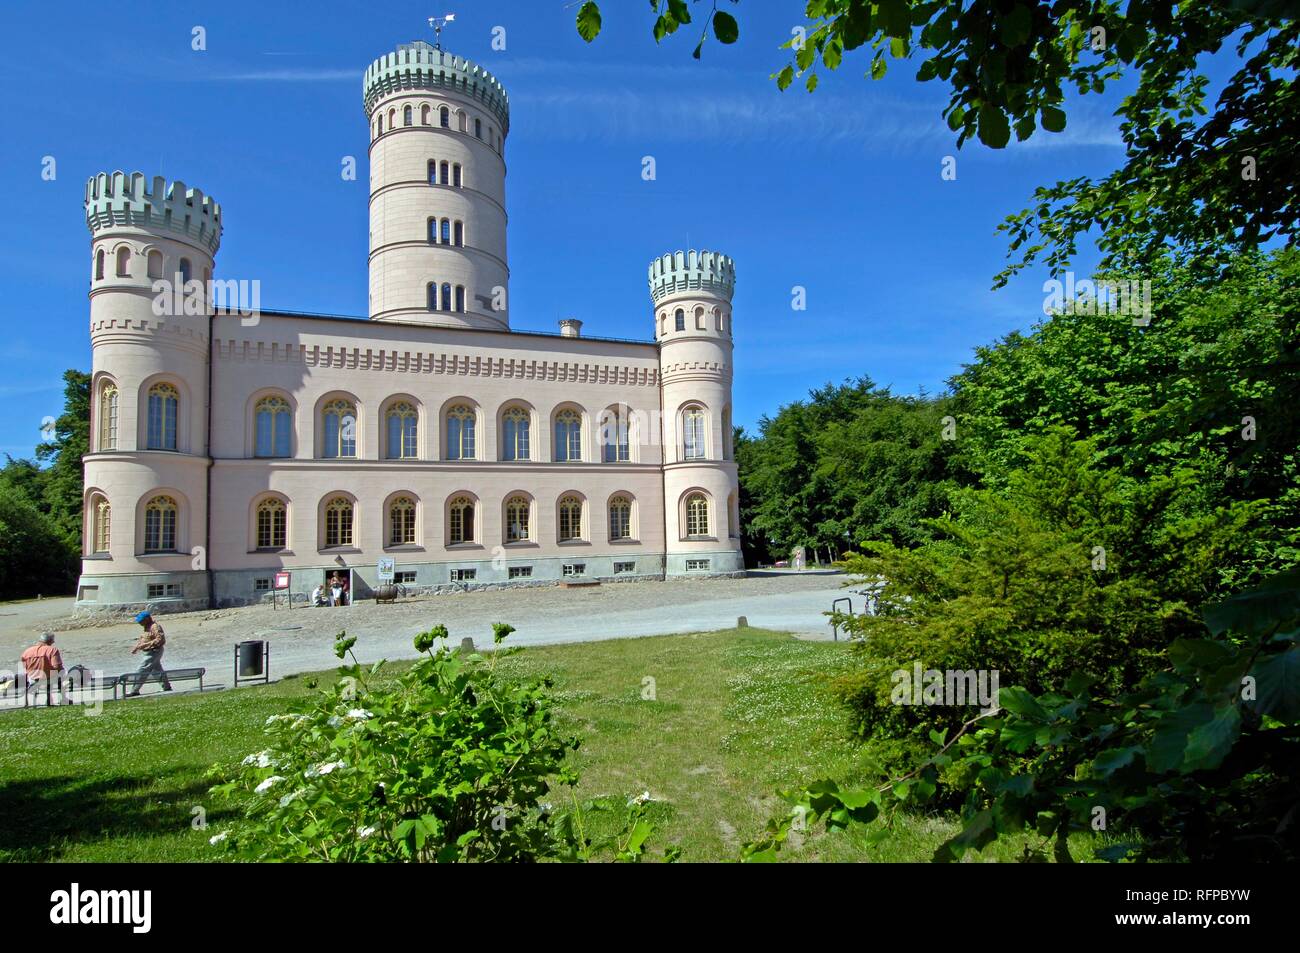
[(439, 128)]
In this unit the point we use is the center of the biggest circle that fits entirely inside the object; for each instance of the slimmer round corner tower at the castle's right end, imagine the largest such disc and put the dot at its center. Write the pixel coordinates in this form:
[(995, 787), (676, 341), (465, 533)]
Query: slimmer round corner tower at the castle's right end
[(692, 294)]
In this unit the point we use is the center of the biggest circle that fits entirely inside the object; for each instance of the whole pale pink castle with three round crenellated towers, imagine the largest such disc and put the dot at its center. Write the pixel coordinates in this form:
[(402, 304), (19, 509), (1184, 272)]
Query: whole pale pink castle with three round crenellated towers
[(232, 445)]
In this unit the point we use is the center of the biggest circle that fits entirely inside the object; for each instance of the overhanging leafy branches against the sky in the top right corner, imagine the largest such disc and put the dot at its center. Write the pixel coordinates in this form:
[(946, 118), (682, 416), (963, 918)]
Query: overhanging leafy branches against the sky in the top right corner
[(1197, 175)]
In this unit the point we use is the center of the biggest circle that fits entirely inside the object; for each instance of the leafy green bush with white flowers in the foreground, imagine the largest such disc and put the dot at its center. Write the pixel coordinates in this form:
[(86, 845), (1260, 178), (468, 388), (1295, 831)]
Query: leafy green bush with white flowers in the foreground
[(449, 764)]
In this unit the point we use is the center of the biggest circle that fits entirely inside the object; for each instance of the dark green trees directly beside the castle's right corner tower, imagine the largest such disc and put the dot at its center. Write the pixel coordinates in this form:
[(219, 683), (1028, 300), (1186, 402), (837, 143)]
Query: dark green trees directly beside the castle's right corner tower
[(851, 463)]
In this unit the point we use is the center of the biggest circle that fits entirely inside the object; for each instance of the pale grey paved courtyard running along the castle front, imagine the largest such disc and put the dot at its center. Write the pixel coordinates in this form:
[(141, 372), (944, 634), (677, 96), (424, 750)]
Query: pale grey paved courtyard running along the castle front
[(304, 639)]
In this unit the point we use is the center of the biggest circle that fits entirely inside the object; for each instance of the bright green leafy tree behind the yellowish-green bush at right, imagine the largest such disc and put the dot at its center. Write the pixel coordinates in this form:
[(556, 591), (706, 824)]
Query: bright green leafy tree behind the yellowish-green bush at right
[(1211, 387)]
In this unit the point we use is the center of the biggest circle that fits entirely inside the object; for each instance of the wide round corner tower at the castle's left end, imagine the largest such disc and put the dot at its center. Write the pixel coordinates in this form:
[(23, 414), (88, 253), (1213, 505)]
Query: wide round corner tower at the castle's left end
[(154, 246)]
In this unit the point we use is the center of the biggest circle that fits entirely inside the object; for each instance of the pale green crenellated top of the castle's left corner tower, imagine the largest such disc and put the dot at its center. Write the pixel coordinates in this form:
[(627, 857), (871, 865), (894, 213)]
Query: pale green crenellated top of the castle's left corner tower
[(118, 200)]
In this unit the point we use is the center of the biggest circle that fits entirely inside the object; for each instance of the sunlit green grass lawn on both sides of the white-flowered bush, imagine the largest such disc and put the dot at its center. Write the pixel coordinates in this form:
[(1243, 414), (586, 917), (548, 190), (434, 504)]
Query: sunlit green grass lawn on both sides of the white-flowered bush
[(736, 716)]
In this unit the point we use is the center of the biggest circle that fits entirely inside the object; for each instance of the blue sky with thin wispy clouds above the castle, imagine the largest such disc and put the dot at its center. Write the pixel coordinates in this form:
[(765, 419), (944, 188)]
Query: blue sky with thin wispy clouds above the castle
[(839, 192)]
